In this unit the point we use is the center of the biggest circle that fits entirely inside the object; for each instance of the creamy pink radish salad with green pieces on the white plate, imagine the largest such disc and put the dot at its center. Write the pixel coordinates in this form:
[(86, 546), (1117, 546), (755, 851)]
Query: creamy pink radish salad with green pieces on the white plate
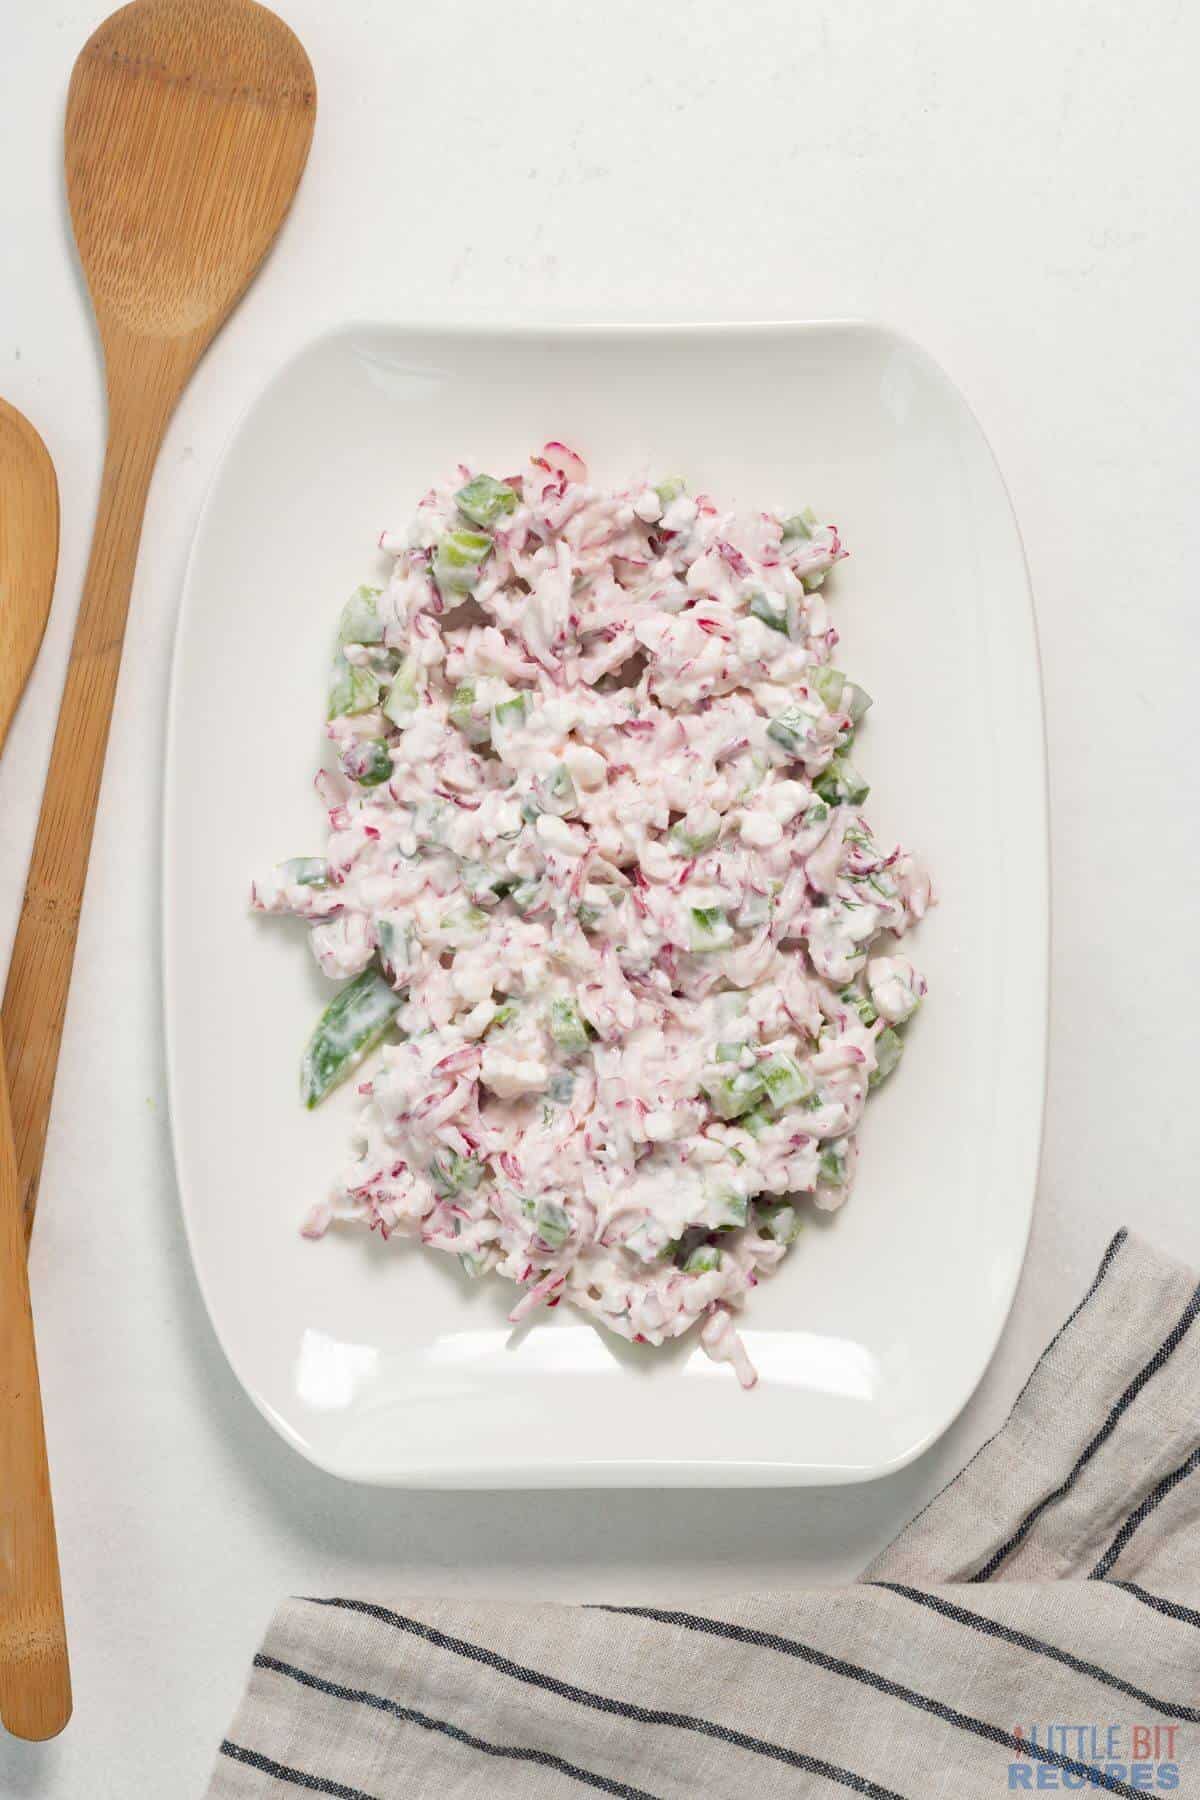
[(596, 827)]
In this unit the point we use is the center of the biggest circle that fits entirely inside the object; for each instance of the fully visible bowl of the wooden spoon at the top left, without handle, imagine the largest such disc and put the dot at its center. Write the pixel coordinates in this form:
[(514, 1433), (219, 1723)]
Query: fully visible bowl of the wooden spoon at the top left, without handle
[(188, 127)]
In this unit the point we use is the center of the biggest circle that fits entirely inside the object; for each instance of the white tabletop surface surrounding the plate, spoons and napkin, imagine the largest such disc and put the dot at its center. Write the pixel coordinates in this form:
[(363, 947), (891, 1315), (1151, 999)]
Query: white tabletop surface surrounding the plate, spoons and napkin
[(1012, 184)]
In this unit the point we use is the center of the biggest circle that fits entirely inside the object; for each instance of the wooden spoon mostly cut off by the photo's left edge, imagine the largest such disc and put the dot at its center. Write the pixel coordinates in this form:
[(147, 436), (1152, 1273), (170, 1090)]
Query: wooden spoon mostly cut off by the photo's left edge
[(35, 1678)]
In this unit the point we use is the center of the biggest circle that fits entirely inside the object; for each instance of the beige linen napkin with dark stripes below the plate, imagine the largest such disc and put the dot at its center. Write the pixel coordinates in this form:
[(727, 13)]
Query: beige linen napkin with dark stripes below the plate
[(1035, 1626)]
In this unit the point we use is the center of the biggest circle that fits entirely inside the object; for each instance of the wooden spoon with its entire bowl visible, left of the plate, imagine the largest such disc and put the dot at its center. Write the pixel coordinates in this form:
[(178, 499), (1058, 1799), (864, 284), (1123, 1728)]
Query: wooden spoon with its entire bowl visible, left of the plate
[(188, 129)]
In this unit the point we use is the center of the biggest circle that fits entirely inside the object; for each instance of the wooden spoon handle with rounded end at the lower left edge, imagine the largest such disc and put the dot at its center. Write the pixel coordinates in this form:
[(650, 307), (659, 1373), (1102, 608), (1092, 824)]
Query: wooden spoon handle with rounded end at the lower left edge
[(35, 1675)]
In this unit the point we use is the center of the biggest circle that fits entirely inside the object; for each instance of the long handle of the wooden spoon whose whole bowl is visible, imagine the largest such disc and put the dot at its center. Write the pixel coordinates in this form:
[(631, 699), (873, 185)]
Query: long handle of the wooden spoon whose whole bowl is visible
[(35, 1002)]
